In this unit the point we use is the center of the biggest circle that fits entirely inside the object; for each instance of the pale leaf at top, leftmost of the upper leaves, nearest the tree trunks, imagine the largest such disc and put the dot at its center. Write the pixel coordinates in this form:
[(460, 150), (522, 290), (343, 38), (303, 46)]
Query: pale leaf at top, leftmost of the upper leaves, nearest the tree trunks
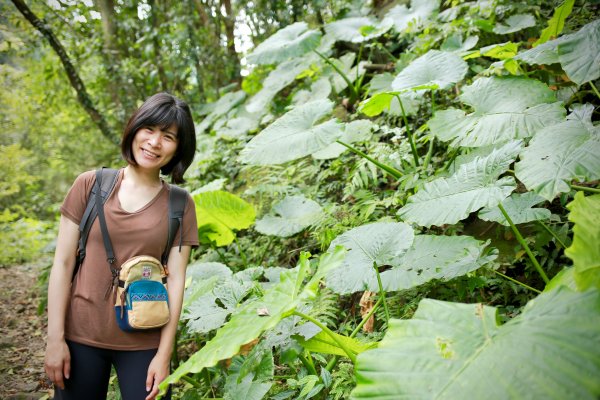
[(290, 42)]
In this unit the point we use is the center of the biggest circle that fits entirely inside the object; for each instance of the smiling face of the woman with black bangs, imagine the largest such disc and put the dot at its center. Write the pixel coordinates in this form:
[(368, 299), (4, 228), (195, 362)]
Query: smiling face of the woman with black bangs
[(153, 147)]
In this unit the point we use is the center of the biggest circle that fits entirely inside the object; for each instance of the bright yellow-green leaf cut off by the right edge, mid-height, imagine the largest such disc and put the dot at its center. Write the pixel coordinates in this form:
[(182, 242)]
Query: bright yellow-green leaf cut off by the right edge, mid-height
[(585, 249)]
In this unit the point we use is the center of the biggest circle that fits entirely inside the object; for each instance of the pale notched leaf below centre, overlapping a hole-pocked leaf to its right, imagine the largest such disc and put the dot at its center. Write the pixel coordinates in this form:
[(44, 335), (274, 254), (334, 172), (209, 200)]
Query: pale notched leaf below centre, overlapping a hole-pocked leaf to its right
[(381, 243)]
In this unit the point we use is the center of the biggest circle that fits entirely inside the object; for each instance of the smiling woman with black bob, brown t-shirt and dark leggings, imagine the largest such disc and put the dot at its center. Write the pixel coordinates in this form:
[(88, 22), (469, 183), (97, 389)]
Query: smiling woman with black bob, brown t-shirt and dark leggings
[(84, 339)]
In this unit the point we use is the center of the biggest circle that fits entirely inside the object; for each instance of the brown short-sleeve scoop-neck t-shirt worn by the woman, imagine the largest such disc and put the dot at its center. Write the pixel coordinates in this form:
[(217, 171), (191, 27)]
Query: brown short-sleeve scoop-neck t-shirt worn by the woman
[(90, 316)]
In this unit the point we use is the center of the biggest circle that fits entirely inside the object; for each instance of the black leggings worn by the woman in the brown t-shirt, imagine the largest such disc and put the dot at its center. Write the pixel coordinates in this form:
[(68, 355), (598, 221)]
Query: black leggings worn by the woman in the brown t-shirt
[(90, 373)]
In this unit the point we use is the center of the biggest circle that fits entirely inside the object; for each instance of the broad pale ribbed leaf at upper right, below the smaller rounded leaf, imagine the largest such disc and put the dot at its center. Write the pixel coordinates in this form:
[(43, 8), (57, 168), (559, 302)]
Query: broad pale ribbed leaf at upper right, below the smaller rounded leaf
[(505, 109)]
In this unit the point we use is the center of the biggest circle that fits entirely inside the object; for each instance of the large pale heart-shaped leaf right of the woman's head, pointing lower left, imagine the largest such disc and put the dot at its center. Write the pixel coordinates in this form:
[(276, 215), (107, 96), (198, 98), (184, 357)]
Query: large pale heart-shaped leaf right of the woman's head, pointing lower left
[(294, 135)]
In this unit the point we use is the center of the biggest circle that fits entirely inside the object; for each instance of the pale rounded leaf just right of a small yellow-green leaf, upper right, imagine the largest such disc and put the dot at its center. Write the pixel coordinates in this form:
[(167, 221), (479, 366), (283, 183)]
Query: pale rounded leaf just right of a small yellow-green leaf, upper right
[(437, 68)]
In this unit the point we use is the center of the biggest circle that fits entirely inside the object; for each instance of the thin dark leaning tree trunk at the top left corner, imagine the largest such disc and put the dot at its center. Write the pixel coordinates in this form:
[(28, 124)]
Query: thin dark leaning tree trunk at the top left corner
[(74, 79)]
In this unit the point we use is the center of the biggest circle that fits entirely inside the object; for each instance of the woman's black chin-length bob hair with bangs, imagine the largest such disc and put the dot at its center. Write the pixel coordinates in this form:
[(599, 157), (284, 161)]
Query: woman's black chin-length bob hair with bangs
[(164, 110)]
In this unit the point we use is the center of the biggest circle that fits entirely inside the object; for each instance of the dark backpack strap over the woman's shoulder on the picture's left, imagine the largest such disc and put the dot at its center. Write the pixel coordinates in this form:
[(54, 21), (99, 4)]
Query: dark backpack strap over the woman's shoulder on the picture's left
[(109, 179)]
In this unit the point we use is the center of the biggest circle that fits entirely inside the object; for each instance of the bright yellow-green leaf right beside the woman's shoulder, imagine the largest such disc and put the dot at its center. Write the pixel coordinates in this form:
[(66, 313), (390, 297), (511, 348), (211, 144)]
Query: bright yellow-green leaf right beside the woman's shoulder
[(219, 214)]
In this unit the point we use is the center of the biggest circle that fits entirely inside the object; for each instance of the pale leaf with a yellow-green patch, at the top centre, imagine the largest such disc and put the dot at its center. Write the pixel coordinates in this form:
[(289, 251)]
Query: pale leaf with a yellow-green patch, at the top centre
[(357, 29)]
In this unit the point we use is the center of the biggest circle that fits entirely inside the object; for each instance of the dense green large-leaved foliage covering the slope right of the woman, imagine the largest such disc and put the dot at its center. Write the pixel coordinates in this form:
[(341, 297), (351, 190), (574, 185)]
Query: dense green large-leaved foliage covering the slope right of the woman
[(439, 159)]
